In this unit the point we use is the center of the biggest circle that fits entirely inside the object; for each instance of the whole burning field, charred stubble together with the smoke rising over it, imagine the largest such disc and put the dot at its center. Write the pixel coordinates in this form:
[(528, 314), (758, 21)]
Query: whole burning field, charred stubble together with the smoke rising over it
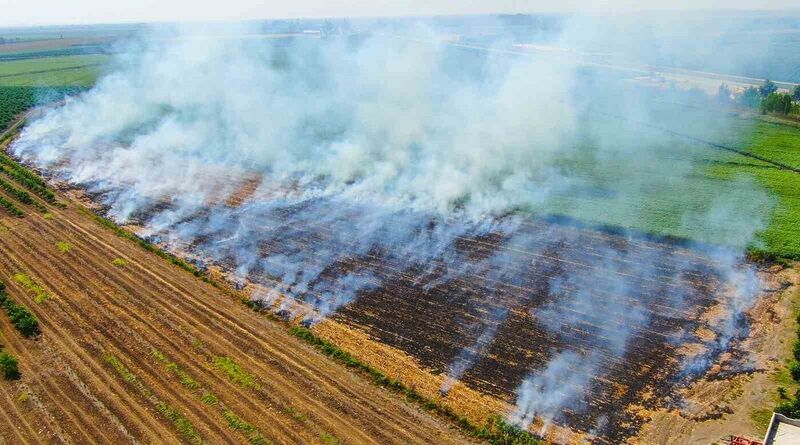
[(518, 229)]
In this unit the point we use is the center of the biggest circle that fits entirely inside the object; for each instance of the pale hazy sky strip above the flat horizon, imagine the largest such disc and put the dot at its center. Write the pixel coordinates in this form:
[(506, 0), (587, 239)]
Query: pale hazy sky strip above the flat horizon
[(27, 12)]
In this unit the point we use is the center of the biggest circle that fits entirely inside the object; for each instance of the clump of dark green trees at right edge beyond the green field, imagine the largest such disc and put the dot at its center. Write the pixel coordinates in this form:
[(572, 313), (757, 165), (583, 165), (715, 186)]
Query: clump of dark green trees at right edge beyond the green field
[(764, 97)]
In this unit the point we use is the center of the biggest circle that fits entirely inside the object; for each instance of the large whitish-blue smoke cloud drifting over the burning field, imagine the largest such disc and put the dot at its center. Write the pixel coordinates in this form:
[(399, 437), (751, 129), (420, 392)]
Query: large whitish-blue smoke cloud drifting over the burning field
[(395, 148)]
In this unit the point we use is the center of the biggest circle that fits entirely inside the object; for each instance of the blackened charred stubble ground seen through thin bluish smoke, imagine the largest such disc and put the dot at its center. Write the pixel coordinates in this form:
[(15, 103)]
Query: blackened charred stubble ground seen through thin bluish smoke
[(508, 283)]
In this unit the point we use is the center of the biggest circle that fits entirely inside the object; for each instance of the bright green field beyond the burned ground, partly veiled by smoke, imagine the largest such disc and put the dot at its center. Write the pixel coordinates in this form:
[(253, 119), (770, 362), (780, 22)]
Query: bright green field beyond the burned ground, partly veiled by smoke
[(658, 183)]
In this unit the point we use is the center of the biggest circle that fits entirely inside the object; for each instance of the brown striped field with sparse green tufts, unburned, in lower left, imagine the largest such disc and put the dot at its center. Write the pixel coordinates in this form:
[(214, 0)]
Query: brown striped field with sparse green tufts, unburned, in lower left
[(98, 308)]
